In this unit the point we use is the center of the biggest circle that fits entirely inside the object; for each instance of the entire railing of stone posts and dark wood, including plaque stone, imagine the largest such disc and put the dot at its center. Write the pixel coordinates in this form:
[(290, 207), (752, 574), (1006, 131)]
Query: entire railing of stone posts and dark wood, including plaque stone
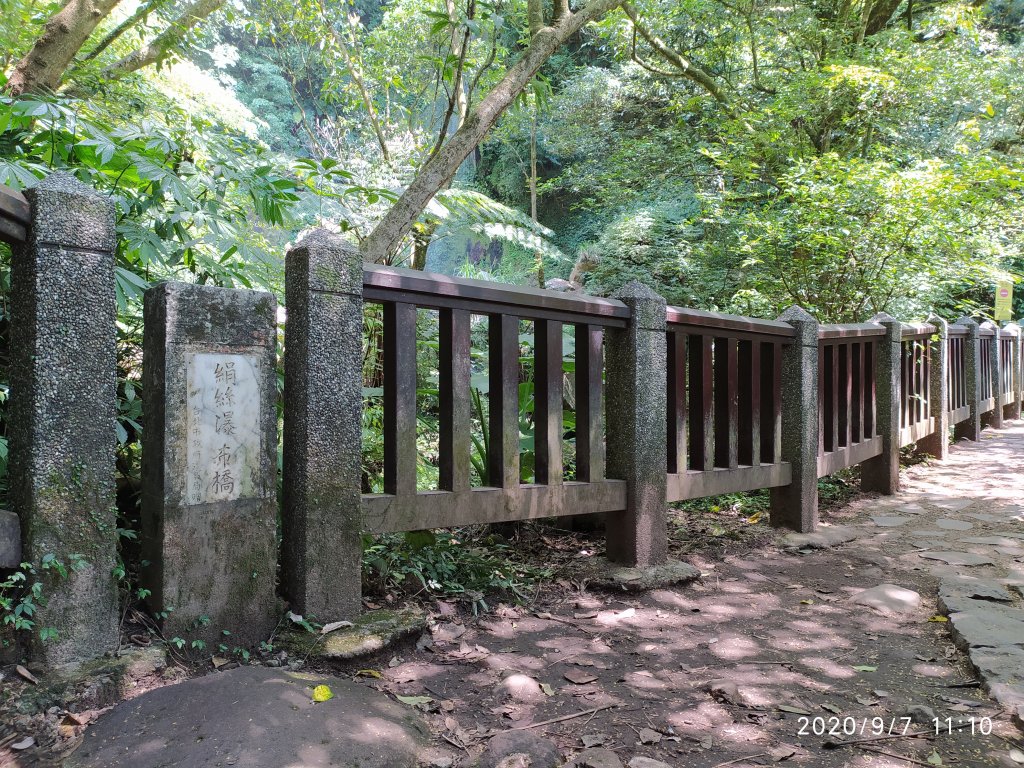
[(669, 404)]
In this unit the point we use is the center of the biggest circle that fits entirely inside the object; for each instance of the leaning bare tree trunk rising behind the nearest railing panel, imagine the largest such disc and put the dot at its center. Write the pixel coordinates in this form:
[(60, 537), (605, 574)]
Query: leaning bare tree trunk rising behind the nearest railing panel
[(440, 169)]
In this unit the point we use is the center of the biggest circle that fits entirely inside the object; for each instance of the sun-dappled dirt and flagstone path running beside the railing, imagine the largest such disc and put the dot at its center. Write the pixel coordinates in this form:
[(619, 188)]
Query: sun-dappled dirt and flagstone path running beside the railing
[(745, 668)]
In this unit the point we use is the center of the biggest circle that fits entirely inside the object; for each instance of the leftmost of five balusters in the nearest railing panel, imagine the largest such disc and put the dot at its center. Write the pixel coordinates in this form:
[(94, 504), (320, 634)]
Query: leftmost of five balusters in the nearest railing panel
[(400, 399)]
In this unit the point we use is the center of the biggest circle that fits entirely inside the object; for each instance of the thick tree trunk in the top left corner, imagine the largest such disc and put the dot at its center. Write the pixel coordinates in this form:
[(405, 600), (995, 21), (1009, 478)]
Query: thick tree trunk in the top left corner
[(64, 35)]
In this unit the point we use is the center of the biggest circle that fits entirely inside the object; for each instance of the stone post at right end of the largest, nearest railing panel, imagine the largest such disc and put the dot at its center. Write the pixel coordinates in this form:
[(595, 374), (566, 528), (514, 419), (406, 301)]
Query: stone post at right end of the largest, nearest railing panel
[(637, 399)]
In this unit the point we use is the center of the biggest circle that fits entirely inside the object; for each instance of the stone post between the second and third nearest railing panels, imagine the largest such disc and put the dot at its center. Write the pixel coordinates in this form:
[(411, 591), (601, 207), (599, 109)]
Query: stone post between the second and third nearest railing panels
[(796, 506)]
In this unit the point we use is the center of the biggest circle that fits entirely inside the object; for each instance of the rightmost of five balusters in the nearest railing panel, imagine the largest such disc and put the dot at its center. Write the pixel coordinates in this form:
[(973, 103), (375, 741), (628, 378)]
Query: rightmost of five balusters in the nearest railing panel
[(590, 440)]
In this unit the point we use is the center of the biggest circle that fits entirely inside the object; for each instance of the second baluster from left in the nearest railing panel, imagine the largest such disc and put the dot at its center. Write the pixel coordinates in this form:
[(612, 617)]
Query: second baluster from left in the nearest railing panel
[(454, 397)]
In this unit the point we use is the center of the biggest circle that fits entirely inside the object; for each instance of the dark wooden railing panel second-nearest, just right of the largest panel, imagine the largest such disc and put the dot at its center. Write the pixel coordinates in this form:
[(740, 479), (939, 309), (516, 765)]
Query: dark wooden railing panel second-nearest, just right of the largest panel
[(724, 404)]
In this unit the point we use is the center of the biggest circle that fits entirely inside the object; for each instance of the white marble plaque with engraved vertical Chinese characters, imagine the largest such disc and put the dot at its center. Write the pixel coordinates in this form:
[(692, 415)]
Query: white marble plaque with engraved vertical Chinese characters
[(225, 433)]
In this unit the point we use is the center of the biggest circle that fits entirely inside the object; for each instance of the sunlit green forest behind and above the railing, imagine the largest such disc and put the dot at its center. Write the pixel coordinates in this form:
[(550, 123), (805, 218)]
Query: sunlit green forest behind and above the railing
[(848, 156)]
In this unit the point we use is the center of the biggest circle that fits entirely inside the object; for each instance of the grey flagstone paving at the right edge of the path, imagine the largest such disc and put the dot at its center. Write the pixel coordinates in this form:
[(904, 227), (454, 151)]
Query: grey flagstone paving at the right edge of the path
[(963, 522)]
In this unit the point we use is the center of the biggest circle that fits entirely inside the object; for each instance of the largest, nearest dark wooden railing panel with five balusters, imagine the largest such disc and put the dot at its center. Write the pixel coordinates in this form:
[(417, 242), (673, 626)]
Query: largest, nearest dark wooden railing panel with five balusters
[(402, 507)]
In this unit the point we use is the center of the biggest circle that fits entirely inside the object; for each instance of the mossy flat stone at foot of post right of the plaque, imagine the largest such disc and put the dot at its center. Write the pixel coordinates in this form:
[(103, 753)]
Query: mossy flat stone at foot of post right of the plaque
[(372, 633)]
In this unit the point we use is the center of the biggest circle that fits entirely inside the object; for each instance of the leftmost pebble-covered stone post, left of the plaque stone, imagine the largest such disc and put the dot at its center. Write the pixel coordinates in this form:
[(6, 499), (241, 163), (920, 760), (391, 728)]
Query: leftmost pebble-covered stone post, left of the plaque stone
[(63, 412)]
